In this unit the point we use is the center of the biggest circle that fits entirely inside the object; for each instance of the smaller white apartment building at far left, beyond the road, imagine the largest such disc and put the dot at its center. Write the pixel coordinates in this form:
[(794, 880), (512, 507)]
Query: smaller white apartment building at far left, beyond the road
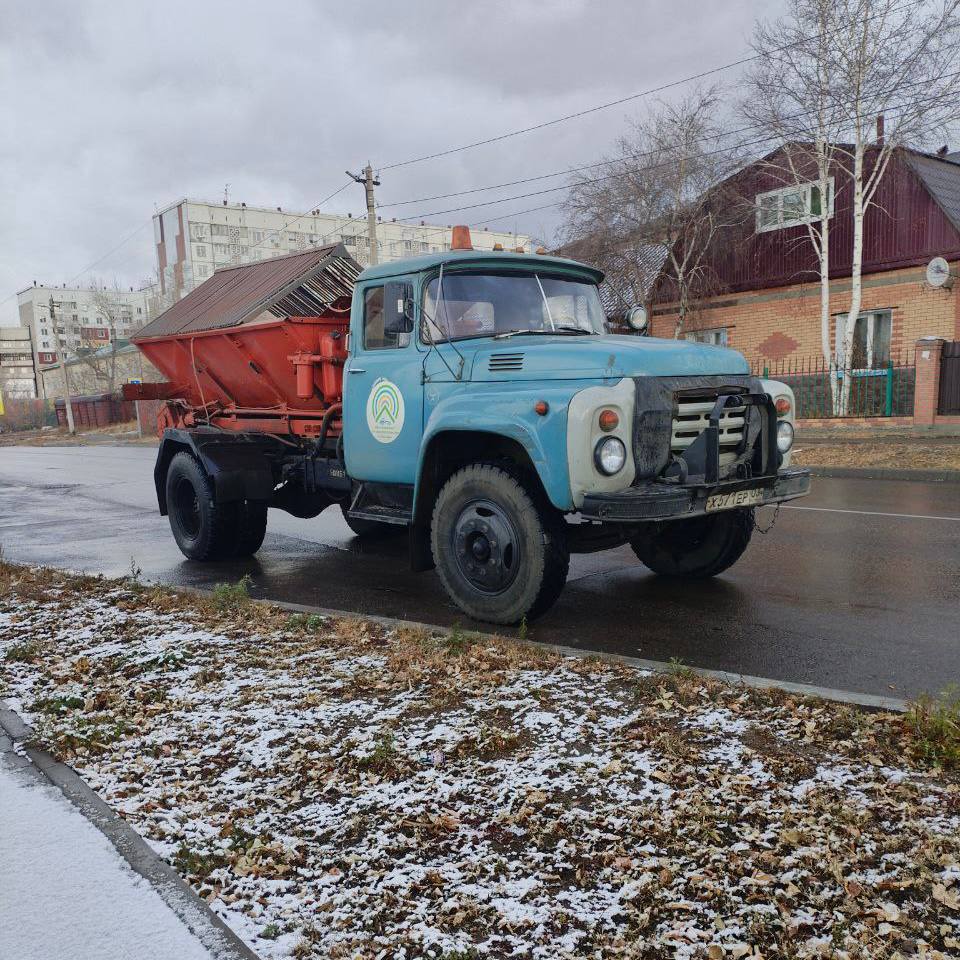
[(85, 317)]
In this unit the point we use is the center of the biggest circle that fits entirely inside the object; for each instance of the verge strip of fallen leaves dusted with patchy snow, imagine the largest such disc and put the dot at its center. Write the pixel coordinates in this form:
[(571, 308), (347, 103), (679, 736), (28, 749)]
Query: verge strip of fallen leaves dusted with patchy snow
[(339, 790)]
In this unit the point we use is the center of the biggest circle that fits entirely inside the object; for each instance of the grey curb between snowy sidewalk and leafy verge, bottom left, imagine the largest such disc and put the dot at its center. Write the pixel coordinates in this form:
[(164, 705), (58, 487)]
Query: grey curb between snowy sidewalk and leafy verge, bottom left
[(176, 893)]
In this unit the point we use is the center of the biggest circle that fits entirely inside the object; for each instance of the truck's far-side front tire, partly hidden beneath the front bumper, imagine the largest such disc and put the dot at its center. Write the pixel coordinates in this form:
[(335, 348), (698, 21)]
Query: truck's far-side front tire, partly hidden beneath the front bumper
[(699, 547)]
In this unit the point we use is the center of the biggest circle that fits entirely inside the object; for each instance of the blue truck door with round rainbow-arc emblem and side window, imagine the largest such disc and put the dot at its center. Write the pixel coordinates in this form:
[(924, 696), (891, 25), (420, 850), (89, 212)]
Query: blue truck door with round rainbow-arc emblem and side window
[(383, 393)]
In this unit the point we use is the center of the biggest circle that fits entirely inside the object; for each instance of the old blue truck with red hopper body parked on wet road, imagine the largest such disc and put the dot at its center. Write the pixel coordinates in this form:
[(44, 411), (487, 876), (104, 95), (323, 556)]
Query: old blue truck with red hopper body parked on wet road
[(472, 400)]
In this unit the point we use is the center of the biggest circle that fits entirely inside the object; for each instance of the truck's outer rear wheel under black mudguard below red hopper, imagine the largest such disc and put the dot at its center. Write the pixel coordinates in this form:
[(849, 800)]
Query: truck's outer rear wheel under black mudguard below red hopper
[(203, 528)]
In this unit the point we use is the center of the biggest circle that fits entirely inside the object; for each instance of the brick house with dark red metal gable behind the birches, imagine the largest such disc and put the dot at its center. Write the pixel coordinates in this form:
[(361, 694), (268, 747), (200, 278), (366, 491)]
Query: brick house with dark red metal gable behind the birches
[(764, 278)]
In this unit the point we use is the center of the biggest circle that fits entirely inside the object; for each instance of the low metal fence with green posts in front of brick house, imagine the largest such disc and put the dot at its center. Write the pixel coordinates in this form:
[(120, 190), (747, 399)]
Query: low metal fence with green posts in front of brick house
[(882, 390)]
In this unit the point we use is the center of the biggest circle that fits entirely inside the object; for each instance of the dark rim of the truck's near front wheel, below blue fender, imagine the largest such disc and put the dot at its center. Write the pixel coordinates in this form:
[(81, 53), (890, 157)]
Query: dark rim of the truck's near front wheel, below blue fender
[(487, 547)]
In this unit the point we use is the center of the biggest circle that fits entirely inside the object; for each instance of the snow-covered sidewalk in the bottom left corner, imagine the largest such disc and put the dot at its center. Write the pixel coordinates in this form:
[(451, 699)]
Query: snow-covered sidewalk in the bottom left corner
[(64, 891)]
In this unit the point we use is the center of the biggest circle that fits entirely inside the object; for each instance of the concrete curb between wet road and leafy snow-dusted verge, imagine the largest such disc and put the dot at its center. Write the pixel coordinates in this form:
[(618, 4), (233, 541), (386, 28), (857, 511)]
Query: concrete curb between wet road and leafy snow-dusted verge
[(869, 701)]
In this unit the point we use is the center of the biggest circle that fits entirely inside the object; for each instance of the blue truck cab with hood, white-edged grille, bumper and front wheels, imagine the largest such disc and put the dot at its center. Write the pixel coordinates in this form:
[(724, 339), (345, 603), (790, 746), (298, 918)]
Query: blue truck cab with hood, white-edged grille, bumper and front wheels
[(488, 410)]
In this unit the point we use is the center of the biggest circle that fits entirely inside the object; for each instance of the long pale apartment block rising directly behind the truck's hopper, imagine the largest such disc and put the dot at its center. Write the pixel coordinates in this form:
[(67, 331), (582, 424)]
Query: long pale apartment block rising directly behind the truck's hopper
[(193, 238)]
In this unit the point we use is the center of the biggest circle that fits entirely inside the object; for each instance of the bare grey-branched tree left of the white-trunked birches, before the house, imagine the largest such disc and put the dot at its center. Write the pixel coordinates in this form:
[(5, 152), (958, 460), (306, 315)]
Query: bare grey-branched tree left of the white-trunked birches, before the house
[(661, 192)]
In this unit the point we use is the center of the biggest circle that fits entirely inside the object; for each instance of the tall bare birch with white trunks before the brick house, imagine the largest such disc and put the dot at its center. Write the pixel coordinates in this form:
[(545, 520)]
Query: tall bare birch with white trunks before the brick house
[(841, 65)]
